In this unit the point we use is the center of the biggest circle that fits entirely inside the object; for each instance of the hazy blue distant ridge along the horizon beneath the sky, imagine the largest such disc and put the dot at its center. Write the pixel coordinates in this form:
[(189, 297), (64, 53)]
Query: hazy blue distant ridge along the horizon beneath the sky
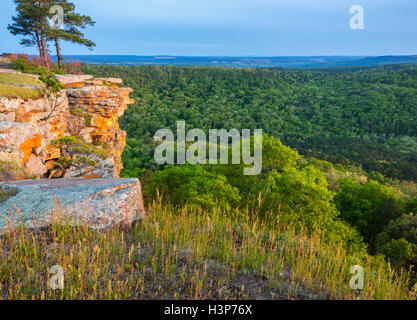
[(247, 62)]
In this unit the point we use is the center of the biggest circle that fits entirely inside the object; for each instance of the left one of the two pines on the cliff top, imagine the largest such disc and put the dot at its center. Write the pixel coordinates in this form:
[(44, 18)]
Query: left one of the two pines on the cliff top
[(31, 23)]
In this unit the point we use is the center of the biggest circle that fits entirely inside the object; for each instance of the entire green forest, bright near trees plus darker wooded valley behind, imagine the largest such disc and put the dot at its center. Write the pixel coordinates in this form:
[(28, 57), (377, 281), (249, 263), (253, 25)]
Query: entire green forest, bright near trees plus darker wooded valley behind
[(339, 147)]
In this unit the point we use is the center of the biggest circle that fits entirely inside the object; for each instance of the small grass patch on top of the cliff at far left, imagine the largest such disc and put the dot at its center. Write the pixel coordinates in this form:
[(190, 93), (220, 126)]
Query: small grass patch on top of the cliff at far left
[(11, 86)]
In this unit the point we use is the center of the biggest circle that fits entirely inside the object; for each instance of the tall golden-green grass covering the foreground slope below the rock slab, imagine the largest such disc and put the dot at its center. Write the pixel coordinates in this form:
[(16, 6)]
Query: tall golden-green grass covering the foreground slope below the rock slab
[(191, 255)]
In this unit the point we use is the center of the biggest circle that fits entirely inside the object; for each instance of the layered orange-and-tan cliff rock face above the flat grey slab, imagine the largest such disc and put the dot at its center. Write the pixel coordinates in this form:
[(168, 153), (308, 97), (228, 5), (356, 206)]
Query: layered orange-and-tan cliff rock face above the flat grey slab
[(72, 134)]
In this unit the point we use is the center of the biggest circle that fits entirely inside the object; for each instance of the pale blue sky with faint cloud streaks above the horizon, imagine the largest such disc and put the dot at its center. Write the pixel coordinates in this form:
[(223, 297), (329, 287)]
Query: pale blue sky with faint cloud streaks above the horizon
[(238, 27)]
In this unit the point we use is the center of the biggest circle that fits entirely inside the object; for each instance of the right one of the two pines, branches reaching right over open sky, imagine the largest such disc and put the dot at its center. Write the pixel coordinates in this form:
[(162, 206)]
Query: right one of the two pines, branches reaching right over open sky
[(73, 22)]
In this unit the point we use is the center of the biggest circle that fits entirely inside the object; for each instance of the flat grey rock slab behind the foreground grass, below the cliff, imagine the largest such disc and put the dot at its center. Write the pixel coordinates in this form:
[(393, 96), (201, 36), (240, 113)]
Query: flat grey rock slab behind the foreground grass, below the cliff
[(101, 203)]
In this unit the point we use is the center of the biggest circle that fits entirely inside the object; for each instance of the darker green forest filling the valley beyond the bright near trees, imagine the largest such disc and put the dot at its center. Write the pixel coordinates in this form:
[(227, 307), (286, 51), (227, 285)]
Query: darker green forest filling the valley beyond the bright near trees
[(365, 117)]
